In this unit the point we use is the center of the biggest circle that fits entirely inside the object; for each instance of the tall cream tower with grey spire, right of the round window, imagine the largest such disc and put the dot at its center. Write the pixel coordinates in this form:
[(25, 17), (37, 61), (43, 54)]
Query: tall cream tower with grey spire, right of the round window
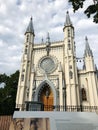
[(70, 63)]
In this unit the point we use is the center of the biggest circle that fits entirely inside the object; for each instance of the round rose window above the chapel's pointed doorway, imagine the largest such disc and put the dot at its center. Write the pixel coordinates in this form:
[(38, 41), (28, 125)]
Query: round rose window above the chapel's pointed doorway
[(47, 65)]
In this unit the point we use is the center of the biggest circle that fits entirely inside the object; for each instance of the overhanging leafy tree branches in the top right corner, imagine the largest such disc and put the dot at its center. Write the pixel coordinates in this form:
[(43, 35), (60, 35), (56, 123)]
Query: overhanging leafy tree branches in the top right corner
[(92, 10)]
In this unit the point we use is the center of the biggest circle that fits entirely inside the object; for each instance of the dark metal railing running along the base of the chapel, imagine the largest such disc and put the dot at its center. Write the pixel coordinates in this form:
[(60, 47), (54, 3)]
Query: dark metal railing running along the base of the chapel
[(60, 108)]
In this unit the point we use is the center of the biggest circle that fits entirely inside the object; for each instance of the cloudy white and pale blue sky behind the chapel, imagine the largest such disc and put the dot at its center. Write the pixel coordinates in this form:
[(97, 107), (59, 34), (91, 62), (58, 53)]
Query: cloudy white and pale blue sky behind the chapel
[(48, 16)]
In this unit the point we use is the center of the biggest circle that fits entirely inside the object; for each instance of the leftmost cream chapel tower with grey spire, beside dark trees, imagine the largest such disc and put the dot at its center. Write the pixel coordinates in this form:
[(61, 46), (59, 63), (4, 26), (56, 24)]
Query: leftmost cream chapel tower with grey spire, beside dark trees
[(26, 63)]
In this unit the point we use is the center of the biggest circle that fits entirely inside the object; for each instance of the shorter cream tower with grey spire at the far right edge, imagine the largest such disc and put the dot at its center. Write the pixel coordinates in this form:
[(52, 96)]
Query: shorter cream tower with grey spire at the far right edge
[(91, 77)]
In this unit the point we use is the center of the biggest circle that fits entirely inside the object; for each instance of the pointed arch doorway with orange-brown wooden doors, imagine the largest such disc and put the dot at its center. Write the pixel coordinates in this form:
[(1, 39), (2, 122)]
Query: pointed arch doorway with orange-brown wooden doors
[(45, 96)]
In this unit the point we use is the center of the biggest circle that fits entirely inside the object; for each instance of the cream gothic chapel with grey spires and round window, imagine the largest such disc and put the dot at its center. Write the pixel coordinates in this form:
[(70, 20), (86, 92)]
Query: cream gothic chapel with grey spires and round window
[(49, 72)]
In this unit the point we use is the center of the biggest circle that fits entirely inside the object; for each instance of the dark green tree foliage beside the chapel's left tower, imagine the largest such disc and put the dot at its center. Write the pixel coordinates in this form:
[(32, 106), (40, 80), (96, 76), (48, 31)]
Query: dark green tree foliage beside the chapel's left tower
[(8, 93)]
